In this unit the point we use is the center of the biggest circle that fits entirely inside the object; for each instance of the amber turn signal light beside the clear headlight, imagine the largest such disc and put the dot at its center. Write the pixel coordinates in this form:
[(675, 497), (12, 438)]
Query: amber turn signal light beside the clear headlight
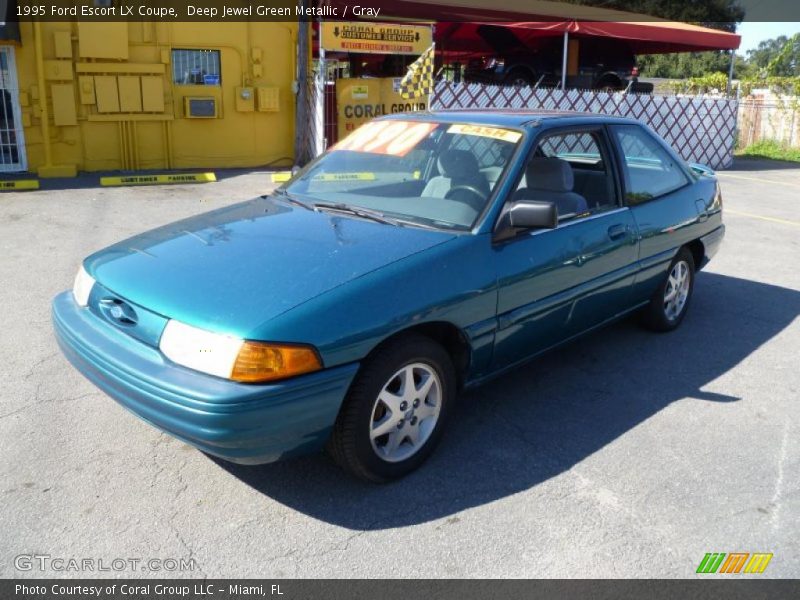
[(258, 362)]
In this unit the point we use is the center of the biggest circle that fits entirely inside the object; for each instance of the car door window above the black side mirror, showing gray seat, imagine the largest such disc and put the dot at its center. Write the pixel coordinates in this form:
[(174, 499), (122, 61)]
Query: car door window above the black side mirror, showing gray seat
[(570, 169)]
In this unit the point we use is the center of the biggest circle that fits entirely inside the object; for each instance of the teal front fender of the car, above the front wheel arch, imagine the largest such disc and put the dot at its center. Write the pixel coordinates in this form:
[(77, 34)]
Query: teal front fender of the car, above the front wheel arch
[(453, 283)]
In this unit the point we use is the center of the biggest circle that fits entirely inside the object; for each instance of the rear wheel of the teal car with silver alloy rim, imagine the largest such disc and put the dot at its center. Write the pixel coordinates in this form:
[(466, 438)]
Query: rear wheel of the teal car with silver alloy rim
[(670, 301)]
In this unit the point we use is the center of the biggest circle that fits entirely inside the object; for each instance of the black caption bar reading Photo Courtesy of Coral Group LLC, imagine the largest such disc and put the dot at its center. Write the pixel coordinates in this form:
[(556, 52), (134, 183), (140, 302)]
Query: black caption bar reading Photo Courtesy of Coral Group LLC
[(731, 587)]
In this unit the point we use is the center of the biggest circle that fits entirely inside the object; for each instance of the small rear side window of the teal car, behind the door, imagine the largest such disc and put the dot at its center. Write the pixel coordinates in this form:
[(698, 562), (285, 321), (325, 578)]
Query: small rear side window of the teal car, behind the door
[(650, 171)]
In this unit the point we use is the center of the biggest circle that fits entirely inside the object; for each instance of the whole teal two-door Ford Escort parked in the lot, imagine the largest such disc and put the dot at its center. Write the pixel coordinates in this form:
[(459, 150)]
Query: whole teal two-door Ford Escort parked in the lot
[(423, 254)]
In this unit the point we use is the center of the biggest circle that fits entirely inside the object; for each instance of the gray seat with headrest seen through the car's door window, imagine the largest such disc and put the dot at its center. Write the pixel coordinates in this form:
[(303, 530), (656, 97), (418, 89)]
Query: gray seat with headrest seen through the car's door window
[(550, 179)]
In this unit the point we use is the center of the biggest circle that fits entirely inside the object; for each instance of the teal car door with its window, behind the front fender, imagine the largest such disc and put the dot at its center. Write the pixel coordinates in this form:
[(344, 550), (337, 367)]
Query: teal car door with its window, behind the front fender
[(556, 283)]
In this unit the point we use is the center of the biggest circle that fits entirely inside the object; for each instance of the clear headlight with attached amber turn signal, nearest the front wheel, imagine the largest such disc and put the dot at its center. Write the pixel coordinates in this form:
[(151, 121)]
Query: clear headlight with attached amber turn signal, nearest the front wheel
[(235, 358)]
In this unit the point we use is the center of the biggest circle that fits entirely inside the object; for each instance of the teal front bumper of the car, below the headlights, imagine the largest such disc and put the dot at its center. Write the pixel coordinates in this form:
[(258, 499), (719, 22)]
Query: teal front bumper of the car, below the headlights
[(242, 423)]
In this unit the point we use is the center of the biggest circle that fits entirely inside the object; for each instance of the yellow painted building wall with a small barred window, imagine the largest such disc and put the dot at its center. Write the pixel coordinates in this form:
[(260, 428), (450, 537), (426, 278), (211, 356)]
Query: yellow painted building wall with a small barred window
[(112, 104)]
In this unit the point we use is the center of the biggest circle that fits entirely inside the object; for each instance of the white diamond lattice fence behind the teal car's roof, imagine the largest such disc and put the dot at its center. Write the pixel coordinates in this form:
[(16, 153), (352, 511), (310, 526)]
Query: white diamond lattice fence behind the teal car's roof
[(700, 129)]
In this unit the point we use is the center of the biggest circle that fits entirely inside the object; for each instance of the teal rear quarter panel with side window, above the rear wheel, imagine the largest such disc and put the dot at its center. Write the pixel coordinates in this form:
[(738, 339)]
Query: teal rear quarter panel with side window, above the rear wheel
[(663, 201)]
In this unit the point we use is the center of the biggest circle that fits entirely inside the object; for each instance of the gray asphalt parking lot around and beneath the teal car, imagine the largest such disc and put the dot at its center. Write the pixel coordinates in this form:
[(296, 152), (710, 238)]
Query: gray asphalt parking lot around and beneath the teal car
[(625, 454)]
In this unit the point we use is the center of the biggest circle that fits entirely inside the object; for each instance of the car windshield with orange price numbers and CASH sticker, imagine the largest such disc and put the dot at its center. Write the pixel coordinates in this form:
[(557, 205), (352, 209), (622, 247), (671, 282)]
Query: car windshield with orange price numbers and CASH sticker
[(417, 173)]
